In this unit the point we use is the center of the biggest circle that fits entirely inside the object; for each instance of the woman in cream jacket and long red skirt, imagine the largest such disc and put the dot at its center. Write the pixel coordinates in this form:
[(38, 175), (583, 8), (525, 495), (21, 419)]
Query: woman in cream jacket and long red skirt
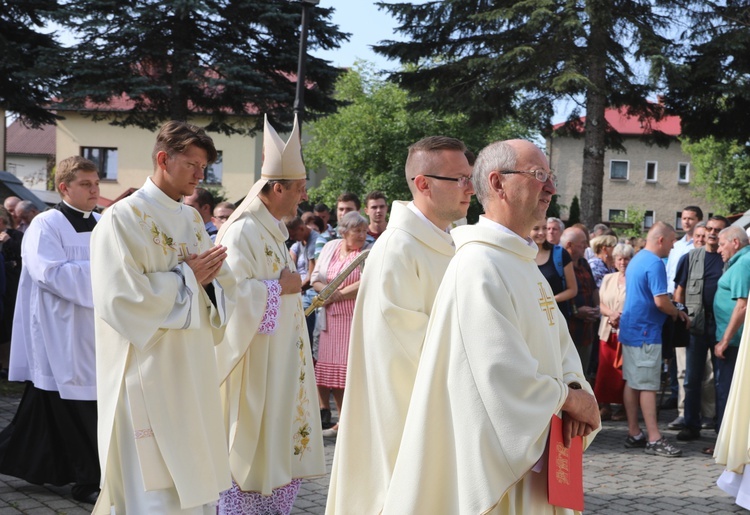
[(609, 384)]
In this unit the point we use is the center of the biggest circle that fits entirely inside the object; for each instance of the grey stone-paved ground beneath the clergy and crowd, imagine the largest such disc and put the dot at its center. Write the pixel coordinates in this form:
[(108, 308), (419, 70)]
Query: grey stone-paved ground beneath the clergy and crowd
[(617, 480)]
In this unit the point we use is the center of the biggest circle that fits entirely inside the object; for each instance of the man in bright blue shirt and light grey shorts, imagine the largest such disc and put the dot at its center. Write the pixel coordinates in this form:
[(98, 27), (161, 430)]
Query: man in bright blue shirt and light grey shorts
[(647, 306)]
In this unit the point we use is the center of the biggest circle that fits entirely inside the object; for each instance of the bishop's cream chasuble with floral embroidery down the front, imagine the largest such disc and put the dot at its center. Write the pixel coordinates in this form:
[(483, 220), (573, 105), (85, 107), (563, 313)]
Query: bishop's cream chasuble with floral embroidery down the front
[(269, 395)]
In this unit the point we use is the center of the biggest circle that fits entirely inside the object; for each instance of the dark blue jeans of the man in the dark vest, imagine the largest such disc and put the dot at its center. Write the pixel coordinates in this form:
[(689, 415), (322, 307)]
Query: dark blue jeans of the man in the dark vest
[(695, 368)]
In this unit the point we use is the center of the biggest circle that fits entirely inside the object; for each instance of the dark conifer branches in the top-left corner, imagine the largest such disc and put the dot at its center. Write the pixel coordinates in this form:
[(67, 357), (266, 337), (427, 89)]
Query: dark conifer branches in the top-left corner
[(29, 64)]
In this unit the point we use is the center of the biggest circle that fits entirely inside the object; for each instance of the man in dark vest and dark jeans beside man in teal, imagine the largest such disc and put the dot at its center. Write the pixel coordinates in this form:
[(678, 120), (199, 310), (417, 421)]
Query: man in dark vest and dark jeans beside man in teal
[(696, 282)]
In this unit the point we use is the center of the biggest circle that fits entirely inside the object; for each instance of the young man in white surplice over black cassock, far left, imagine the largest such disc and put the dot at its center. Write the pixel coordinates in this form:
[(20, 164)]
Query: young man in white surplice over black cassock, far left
[(52, 438)]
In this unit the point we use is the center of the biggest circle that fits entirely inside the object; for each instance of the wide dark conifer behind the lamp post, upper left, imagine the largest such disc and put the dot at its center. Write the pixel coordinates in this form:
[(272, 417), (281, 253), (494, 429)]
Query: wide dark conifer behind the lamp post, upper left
[(214, 57)]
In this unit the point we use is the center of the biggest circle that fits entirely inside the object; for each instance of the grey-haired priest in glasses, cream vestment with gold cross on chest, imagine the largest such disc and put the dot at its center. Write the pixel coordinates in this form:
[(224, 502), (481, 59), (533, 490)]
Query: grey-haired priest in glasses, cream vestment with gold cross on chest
[(497, 360)]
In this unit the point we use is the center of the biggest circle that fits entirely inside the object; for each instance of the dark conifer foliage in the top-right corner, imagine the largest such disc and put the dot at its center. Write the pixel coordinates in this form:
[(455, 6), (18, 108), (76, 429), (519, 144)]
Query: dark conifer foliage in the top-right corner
[(710, 86)]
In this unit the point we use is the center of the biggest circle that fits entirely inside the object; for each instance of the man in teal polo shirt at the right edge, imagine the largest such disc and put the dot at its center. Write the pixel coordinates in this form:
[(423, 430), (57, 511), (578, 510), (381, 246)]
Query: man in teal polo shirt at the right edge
[(730, 304)]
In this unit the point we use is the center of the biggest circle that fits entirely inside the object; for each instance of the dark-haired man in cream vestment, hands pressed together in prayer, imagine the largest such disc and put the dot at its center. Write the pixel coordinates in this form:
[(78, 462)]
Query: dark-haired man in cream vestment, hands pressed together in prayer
[(162, 294)]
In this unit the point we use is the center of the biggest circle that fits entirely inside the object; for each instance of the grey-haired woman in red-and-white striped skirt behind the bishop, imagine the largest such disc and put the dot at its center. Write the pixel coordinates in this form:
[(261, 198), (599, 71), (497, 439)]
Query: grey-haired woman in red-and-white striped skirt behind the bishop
[(336, 322)]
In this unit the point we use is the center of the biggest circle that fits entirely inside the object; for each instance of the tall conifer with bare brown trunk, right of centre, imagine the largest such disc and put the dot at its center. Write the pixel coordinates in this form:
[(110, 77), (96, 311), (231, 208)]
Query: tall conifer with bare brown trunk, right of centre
[(517, 56)]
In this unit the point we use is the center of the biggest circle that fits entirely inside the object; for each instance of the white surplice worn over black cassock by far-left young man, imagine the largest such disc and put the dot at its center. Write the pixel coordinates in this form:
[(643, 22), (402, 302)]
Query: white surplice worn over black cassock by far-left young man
[(53, 326)]
